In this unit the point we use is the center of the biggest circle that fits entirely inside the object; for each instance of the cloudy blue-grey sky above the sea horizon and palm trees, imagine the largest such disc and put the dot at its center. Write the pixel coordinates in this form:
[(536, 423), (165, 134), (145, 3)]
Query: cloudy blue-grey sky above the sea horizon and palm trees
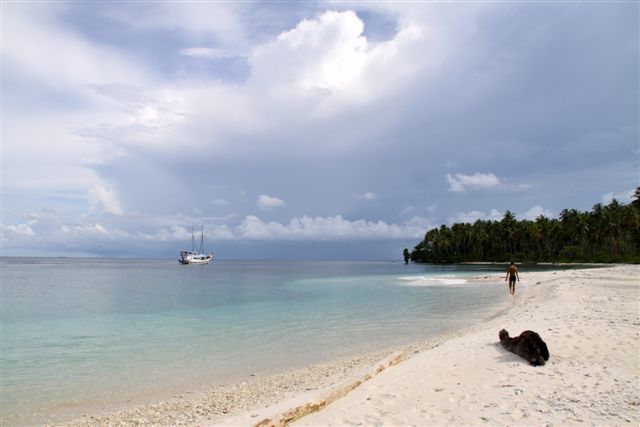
[(307, 130)]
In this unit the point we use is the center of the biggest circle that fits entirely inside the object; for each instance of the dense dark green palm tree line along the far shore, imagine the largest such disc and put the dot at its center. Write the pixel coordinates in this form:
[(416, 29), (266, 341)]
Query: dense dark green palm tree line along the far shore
[(606, 233)]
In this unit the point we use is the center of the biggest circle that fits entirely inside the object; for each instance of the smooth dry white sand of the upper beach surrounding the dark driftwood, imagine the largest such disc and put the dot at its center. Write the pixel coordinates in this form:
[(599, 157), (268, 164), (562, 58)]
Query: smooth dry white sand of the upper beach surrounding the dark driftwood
[(590, 320)]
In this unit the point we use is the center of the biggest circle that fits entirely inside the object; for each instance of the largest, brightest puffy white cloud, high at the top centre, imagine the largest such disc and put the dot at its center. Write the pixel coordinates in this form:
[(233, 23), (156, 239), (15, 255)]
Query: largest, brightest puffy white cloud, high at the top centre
[(330, 55)]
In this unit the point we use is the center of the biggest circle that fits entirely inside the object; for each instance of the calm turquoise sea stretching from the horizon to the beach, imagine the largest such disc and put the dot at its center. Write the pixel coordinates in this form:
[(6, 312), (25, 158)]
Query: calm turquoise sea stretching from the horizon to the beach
[(80, 331)]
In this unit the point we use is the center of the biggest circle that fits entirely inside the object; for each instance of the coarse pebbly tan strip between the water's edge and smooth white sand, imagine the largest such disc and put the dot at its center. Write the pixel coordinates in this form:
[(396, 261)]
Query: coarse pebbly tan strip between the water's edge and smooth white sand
[(223, 404)]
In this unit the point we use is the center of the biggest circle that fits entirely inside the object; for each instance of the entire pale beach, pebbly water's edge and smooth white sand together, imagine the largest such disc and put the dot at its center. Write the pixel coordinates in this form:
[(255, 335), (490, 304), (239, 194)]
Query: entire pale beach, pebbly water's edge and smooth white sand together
[(589, 319)]
